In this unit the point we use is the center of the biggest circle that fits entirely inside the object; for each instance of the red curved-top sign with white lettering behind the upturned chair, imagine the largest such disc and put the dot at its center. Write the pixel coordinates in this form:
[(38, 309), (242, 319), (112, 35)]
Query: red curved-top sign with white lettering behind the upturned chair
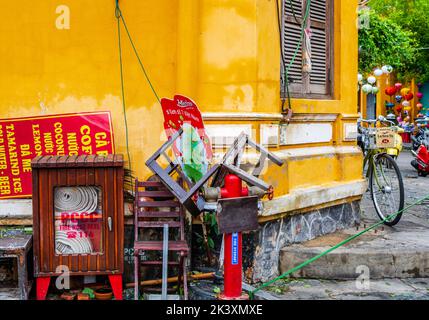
[(182, 110)]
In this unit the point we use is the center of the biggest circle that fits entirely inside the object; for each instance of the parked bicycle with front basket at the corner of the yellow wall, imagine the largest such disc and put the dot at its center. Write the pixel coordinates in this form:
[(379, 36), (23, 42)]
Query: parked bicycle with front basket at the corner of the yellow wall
[(383, 175)]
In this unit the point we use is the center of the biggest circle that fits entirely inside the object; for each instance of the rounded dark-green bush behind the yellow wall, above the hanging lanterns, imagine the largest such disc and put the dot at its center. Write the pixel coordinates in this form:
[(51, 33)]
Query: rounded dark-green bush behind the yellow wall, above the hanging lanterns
[(383, 42)]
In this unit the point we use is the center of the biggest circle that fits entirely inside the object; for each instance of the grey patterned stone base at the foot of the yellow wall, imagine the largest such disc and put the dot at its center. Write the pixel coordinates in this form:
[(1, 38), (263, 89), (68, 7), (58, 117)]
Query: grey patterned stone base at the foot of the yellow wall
[(261, 248)]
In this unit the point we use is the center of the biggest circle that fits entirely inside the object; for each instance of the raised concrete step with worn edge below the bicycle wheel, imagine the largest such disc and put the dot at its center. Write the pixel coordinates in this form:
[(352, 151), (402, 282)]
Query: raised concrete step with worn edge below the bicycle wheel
[(384, 253)]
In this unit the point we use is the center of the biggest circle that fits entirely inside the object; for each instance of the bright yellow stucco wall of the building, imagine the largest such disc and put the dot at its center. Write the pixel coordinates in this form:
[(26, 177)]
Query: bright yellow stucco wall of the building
[(223, 54)]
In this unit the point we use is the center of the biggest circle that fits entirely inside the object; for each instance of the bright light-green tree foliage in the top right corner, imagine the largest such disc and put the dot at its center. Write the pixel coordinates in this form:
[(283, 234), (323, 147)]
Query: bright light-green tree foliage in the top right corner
[(411, 16)]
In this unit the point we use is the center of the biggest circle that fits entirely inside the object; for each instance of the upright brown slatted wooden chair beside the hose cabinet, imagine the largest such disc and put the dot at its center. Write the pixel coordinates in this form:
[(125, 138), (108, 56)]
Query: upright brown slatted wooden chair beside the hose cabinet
[(155, 206)]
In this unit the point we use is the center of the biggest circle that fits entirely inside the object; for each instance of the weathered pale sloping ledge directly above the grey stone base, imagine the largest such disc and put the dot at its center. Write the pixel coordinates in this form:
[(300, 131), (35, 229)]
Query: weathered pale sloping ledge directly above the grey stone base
[(313, 196)]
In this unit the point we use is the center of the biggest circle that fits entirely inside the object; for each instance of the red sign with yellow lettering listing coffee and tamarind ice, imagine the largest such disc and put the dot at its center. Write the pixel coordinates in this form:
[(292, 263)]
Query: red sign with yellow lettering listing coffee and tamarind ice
[(22, 139)]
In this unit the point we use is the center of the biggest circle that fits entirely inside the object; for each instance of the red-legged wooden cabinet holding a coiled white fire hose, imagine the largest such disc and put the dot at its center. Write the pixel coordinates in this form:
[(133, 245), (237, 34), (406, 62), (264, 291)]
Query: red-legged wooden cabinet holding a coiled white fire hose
[(78, 213)]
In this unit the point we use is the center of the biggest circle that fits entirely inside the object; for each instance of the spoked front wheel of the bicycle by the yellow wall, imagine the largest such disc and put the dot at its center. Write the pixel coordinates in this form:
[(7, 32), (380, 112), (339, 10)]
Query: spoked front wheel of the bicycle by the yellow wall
[(387, 188)]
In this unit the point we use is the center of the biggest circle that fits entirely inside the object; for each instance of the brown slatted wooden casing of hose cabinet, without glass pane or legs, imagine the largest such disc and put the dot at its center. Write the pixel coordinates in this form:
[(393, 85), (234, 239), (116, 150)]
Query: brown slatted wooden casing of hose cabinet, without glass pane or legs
[(50, 172)]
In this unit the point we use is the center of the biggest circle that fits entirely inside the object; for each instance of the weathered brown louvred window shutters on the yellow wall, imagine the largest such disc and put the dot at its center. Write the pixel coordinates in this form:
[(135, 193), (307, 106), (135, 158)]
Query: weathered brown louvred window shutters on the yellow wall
[(316, 83)]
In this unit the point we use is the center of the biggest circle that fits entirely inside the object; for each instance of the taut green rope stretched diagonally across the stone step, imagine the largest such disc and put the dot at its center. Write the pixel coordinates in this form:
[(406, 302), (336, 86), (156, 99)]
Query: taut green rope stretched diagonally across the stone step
[(305, 263)]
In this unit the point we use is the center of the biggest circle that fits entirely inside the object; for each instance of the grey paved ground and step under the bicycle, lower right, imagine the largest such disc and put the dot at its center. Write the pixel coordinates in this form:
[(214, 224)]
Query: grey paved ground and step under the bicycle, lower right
[(400, 253)]
